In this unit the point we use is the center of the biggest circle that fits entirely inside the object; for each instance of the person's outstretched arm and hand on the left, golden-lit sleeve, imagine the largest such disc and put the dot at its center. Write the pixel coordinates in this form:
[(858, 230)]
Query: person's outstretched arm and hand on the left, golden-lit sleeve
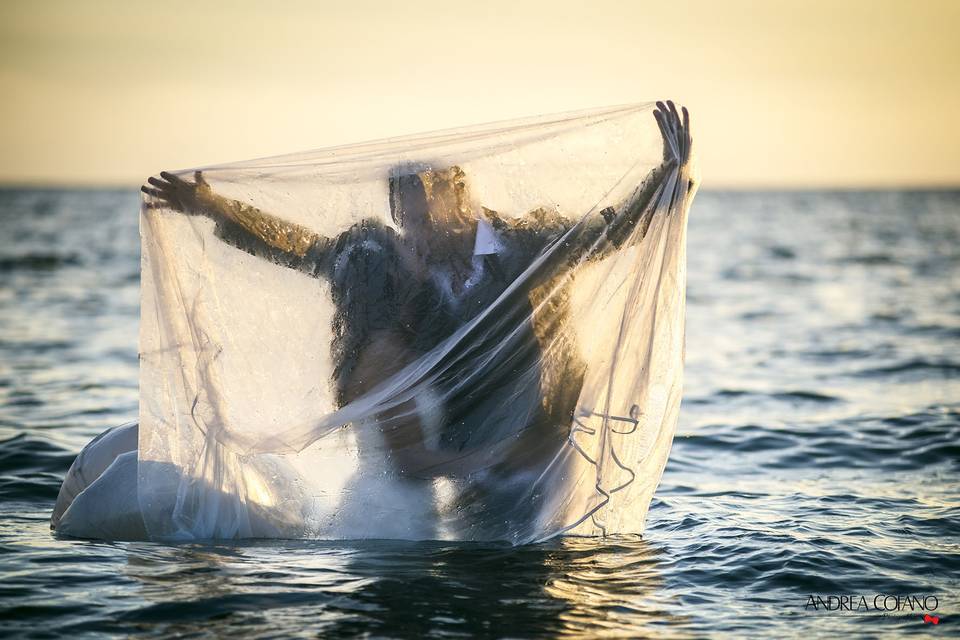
[(267, 235)]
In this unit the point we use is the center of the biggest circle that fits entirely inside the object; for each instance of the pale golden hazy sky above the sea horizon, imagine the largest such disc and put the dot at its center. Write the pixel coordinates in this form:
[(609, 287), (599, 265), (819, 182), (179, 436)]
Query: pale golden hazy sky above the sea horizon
[(782, 93)]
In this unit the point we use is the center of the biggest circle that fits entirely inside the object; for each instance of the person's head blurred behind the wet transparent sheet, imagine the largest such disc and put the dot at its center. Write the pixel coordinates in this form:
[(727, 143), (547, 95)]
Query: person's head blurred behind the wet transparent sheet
[(433, 209)]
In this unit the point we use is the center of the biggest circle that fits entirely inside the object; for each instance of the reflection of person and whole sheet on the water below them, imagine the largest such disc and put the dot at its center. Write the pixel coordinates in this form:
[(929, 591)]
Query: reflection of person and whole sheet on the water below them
[(417, 590)]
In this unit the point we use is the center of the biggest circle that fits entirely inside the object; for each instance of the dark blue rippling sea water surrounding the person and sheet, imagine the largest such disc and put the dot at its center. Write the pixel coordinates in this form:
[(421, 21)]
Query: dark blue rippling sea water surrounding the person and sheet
[(818, 450)]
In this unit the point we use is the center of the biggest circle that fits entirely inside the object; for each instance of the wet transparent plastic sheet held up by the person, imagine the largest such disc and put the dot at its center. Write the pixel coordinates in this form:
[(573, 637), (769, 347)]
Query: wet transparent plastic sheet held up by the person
[(467, 335)]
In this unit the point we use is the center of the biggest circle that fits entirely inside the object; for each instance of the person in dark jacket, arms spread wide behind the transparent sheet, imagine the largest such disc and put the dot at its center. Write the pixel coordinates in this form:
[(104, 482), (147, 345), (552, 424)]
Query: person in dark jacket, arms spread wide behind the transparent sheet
[(399, 293)]
